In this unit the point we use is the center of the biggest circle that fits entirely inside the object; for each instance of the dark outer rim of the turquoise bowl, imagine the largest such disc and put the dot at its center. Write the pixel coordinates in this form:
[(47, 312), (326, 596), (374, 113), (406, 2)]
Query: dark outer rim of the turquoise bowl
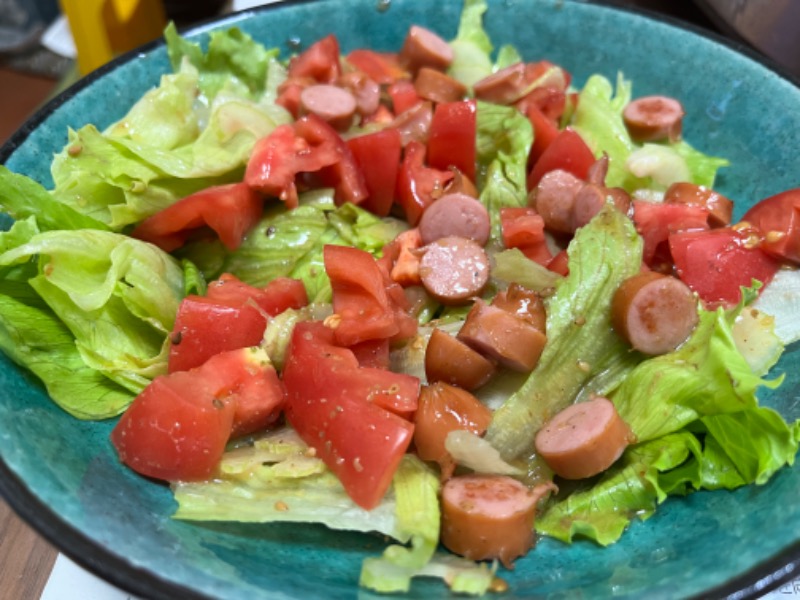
[(761, 578)]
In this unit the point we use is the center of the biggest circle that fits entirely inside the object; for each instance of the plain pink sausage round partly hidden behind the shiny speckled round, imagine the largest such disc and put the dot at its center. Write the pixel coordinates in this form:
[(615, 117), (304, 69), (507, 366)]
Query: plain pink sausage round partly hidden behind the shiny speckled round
[(455, 214)]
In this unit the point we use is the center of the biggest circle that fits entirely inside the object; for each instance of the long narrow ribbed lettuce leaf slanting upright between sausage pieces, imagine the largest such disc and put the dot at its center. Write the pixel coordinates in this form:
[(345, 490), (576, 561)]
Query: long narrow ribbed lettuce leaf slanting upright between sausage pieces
[(580, 337)]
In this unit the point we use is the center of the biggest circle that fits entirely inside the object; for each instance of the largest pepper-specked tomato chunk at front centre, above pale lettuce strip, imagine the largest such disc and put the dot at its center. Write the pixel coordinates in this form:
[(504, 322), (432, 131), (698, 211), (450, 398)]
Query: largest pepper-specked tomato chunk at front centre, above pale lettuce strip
[(359, 441)]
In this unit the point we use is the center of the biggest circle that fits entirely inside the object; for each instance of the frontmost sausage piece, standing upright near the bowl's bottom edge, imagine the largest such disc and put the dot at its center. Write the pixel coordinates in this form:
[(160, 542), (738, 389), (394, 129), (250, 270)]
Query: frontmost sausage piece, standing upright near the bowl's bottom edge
[(488, 517)]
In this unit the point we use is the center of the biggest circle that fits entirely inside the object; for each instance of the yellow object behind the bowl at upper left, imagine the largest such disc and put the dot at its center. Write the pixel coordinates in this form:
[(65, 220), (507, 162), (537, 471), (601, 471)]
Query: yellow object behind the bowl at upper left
[(103, 29)]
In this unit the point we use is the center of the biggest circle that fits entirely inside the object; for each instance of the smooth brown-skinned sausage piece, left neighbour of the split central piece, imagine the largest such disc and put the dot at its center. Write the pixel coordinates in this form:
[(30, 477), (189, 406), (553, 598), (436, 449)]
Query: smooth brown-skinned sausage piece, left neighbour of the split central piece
[(450, 360)]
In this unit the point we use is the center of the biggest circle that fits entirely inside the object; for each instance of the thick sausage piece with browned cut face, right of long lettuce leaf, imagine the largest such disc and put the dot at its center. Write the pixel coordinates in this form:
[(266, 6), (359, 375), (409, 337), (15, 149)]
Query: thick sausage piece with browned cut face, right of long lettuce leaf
[(653, 312)]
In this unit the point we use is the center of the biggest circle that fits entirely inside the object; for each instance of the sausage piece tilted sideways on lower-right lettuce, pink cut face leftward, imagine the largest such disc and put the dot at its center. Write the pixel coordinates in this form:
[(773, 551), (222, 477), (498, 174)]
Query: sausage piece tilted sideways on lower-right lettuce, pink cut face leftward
[(584, 439)]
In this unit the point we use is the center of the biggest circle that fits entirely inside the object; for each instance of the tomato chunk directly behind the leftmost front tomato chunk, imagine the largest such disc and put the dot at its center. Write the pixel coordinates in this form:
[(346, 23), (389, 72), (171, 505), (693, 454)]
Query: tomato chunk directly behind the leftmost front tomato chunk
[(232, 315)]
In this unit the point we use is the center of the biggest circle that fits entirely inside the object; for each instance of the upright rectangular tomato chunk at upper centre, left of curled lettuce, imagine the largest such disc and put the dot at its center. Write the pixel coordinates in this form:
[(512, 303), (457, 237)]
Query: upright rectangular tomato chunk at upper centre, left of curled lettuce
[(452, 137)]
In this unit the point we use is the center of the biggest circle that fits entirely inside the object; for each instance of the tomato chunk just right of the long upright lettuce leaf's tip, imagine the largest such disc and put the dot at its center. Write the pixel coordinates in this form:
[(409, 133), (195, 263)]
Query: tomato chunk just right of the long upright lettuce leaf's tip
[(656, 221)]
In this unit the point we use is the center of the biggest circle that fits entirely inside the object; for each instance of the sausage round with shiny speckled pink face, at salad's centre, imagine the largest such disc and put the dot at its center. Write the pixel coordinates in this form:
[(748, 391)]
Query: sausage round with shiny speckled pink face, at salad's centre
[(454, 269)]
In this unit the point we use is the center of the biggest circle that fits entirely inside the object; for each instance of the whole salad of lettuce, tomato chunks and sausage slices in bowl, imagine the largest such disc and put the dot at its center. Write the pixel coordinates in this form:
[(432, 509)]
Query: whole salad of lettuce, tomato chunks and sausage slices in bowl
[(373, 291)]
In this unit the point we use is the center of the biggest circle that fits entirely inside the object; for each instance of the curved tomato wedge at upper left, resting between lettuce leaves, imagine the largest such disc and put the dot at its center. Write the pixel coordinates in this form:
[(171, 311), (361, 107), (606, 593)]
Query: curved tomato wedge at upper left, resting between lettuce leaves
[(229, 210)]
